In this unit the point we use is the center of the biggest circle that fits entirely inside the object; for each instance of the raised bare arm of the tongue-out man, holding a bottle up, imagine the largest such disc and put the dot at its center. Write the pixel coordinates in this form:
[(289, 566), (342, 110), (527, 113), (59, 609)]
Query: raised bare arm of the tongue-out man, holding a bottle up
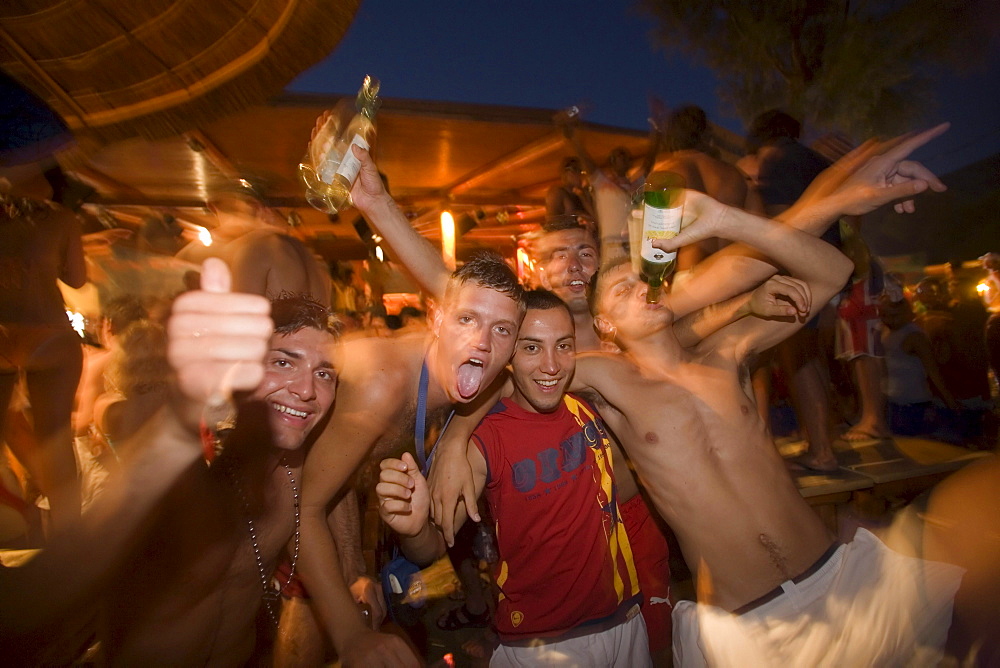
[(415, 252)]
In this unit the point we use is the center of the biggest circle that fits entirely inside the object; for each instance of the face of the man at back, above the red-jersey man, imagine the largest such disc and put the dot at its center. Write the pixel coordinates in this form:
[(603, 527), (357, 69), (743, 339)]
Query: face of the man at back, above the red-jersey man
[(569, 260)]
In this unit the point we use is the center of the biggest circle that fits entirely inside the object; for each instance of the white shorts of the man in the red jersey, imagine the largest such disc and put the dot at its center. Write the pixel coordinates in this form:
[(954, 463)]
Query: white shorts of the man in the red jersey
[(625, 646)]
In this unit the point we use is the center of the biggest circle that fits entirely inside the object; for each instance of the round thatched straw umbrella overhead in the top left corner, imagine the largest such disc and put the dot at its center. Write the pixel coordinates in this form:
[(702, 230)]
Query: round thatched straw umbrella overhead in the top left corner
[(156, 68)]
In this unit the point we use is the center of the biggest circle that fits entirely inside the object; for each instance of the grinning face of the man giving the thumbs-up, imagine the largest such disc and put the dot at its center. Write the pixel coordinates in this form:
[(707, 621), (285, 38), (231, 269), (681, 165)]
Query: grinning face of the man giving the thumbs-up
[(299, 384)]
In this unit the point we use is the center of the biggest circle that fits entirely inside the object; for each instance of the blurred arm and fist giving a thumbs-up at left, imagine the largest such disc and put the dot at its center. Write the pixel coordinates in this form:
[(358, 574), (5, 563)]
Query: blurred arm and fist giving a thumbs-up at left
[(213, 335)]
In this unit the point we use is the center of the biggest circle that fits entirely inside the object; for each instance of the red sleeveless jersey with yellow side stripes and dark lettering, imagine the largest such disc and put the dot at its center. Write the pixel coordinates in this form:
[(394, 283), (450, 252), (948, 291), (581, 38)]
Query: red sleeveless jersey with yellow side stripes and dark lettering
[(565, 560)]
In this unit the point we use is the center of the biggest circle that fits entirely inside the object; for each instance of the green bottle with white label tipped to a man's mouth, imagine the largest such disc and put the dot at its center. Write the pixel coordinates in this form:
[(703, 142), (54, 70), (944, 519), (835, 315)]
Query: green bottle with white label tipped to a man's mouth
[(662, 207)]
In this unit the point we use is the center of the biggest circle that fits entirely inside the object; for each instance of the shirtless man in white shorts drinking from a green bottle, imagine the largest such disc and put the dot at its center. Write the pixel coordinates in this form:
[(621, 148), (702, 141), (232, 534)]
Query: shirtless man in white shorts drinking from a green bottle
[(686, 420)]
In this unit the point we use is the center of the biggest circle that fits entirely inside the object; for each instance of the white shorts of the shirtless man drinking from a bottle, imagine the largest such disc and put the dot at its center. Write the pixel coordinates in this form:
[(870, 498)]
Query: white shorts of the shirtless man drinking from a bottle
[(867, 605)]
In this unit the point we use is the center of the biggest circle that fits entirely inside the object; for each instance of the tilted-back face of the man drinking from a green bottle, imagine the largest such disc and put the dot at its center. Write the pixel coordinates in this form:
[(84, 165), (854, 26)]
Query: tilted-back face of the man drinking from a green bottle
[(622, 306)]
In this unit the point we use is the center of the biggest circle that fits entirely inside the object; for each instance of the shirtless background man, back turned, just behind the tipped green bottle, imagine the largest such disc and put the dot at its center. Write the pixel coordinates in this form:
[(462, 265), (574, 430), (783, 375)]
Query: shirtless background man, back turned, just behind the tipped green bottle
[(686, 138)]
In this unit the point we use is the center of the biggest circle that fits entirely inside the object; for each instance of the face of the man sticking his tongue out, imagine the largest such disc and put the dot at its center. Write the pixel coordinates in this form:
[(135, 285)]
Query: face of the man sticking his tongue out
[(475, 331)]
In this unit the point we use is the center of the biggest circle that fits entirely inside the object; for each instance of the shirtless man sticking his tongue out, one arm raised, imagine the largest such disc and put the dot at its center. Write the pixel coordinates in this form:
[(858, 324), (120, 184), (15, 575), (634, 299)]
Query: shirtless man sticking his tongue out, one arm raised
[(472, 333)]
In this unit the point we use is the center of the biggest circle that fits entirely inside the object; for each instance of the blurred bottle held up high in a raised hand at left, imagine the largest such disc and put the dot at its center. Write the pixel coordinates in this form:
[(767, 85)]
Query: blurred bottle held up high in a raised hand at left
[(329, 168)]
